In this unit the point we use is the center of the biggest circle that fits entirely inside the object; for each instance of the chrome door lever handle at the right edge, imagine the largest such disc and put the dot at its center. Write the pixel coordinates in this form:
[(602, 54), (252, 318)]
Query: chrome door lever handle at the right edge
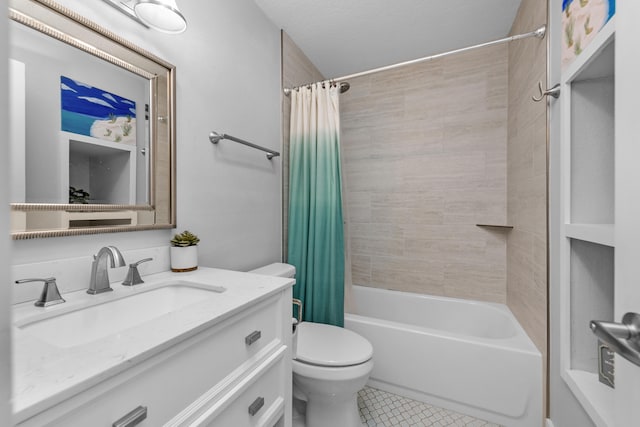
[(623, 338)]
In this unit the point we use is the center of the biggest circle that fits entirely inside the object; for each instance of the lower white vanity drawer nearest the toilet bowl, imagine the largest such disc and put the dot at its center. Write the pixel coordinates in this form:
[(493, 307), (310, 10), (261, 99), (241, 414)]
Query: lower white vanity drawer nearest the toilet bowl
[(256, 401)]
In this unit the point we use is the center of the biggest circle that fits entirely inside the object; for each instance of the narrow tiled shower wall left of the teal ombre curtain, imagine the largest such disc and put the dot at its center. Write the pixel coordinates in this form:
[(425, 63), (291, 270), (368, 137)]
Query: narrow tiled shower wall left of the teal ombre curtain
[(297, 70)]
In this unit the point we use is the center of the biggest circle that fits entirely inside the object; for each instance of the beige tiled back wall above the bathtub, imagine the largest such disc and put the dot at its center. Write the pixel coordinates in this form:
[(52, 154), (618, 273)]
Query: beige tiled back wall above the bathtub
[(424, 154)]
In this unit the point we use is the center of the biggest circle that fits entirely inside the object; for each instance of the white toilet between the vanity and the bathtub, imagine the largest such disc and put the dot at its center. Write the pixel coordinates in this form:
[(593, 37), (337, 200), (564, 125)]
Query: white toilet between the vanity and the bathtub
[(330, 365)]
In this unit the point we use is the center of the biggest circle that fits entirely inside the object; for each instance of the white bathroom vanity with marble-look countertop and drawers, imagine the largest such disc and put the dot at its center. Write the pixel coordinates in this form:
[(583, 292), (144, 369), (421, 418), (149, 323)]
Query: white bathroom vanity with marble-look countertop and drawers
[(206, 348)]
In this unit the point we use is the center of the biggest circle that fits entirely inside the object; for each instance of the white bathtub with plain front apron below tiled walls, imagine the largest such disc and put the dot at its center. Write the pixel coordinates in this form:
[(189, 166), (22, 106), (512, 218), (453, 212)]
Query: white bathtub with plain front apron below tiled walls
[(467, 356)]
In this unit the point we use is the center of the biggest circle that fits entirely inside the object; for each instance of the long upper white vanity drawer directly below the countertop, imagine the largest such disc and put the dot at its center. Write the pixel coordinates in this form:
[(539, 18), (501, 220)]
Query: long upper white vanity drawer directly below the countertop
[(170, 381)]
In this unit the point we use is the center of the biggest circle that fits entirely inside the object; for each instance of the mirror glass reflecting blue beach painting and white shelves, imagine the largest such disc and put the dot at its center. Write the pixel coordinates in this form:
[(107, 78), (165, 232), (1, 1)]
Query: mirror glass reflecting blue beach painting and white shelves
[(98, 111)]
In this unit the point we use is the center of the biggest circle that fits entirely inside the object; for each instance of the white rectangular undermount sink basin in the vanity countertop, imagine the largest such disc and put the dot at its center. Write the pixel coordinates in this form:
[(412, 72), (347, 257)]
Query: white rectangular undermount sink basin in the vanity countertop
[(90, 323)]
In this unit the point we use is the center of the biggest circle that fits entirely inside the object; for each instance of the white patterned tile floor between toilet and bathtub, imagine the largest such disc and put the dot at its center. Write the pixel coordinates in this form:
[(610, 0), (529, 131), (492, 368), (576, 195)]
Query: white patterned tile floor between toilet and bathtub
[(382, 409)]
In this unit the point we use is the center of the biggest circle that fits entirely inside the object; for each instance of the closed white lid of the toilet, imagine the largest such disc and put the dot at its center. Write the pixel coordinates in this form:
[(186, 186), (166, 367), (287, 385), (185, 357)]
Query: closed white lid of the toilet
[(327, 345)]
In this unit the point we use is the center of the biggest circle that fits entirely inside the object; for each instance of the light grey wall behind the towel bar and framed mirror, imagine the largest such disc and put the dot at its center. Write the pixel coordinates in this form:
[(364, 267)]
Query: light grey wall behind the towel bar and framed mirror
[(228, 79)]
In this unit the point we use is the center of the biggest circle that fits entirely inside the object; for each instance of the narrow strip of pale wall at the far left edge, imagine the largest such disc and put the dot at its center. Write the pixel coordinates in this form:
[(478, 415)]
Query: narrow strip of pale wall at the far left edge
[(5, 291)]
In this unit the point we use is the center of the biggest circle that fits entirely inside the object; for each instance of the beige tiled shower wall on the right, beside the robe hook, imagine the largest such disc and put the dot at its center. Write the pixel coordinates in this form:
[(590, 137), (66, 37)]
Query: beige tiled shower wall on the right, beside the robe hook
[(527, 177)]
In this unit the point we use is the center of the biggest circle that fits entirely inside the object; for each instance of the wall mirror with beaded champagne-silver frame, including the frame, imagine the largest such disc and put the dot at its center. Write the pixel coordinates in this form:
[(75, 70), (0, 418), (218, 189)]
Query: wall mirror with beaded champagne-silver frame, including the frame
[(93, 134)]
